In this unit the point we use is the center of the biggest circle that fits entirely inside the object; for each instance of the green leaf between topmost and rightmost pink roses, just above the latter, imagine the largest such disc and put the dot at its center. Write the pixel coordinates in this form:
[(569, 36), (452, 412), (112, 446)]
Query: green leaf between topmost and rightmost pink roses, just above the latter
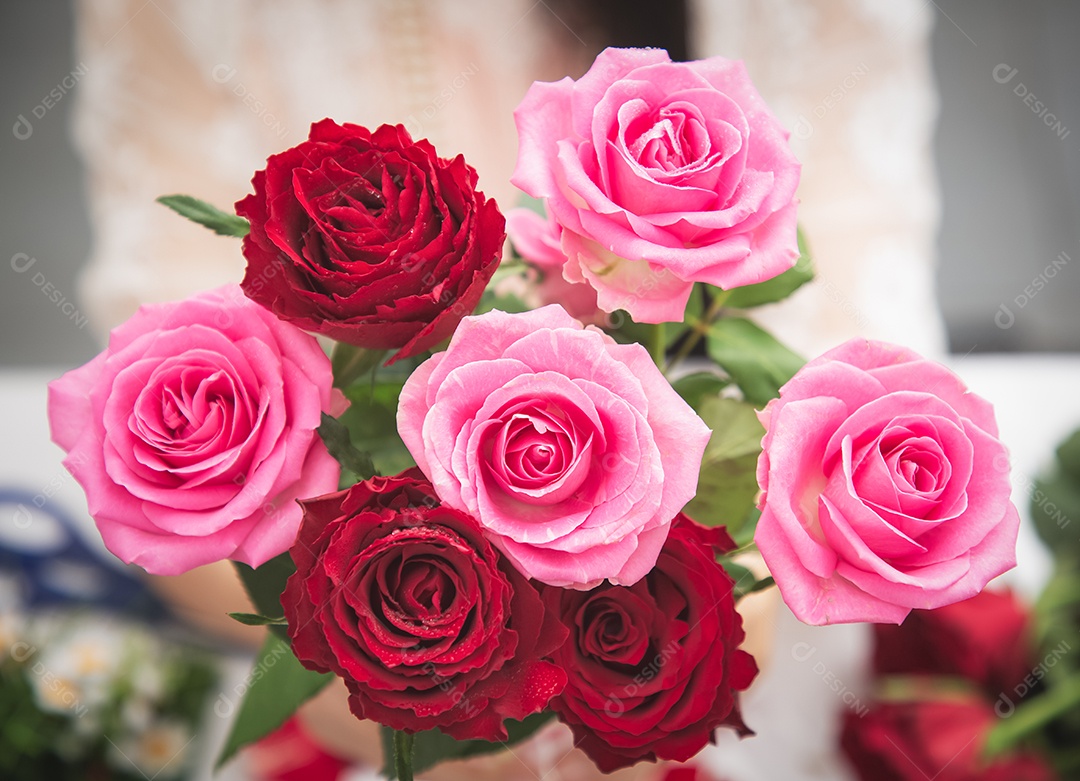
[(753, 358)]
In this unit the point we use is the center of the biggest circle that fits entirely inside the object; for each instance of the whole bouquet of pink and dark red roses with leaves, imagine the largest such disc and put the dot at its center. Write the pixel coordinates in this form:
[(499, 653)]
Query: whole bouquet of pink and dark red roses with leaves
[(517, 488)]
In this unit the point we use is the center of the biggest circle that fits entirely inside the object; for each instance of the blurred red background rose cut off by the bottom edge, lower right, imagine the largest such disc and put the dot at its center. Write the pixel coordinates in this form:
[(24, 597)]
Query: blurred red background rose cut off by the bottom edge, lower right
[(940, 740)]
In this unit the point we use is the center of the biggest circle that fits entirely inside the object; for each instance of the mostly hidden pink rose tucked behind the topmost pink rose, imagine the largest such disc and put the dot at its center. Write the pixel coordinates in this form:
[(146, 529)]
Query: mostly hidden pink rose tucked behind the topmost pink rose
[(537, 241)]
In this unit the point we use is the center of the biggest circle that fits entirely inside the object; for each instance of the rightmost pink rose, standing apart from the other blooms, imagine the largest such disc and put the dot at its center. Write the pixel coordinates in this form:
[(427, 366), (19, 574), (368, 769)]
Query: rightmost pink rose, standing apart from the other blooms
[(886, 488)]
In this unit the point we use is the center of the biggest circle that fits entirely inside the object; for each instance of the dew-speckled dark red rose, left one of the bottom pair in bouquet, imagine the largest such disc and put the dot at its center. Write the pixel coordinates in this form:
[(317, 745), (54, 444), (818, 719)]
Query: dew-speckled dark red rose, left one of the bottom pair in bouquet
[(428, 625)]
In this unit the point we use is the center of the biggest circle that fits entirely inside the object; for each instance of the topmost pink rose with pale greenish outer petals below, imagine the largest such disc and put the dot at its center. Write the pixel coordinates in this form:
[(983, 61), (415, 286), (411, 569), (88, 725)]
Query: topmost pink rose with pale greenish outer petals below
[(661, 174)]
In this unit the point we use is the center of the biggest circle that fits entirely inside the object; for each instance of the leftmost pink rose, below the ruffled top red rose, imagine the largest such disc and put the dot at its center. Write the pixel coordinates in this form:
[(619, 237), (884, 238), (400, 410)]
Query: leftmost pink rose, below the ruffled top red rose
[(194, 433)]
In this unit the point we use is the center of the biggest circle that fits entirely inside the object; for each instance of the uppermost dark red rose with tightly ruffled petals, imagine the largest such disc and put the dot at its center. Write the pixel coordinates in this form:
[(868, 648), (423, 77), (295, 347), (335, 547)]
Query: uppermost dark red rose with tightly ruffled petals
[(370, 238)]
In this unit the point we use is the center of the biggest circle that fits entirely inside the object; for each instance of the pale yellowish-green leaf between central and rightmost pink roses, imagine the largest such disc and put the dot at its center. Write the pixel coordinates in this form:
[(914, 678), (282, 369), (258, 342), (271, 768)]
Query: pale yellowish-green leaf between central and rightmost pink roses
[(727, 486)]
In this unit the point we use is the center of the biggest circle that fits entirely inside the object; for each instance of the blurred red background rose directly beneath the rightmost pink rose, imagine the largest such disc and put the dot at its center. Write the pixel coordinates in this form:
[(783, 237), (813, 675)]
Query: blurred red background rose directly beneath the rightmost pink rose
[(985, 640)]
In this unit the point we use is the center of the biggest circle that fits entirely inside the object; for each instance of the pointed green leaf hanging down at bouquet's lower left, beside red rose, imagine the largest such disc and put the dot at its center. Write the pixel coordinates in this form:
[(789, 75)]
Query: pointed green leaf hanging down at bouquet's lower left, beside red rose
[(277, 686)]
